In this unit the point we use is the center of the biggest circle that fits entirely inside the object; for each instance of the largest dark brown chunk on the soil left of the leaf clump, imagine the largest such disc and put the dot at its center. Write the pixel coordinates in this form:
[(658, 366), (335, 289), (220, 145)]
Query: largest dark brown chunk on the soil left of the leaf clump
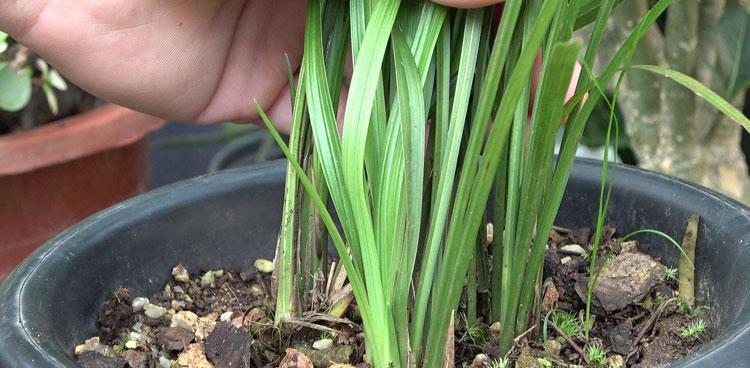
[(227, 346)]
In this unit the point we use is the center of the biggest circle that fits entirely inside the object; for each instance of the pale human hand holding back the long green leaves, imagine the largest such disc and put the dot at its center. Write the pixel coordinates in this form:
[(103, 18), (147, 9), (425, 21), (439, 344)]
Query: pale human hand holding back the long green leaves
[(202, 61)]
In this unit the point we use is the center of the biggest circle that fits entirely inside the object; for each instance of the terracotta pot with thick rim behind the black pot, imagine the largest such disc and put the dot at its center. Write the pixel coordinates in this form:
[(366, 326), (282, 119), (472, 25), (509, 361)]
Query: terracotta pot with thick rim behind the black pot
[(53, 176)]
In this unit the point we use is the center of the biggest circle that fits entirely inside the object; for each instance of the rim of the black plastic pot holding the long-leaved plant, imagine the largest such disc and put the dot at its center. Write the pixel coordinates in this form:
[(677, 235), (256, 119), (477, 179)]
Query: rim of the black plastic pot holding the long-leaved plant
[(730, 341)]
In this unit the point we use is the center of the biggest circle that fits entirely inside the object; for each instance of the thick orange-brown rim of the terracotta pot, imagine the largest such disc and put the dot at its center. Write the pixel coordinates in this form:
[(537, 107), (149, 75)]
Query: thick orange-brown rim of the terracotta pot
[(103, 128)]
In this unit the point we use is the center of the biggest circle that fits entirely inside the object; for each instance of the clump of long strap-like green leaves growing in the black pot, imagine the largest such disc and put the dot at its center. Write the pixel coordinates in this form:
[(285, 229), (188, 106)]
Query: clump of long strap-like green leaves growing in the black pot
[(413, 206)]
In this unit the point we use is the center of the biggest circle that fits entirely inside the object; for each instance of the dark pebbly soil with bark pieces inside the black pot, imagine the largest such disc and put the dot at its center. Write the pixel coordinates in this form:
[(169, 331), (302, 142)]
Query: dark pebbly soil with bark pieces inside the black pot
[(225, 319)]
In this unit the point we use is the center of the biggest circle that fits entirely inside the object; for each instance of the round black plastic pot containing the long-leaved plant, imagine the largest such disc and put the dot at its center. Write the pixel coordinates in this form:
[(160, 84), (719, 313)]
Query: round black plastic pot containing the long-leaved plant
[(50, 302)]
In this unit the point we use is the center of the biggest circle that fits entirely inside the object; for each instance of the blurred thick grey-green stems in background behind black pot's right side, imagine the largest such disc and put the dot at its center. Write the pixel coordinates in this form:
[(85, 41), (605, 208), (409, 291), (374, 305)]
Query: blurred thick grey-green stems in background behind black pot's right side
[(670, 129)]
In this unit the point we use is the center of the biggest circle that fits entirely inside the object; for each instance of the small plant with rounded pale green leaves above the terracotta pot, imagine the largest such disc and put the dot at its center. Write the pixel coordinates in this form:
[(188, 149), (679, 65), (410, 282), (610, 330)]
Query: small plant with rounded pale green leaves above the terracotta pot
[(20, 71)]
